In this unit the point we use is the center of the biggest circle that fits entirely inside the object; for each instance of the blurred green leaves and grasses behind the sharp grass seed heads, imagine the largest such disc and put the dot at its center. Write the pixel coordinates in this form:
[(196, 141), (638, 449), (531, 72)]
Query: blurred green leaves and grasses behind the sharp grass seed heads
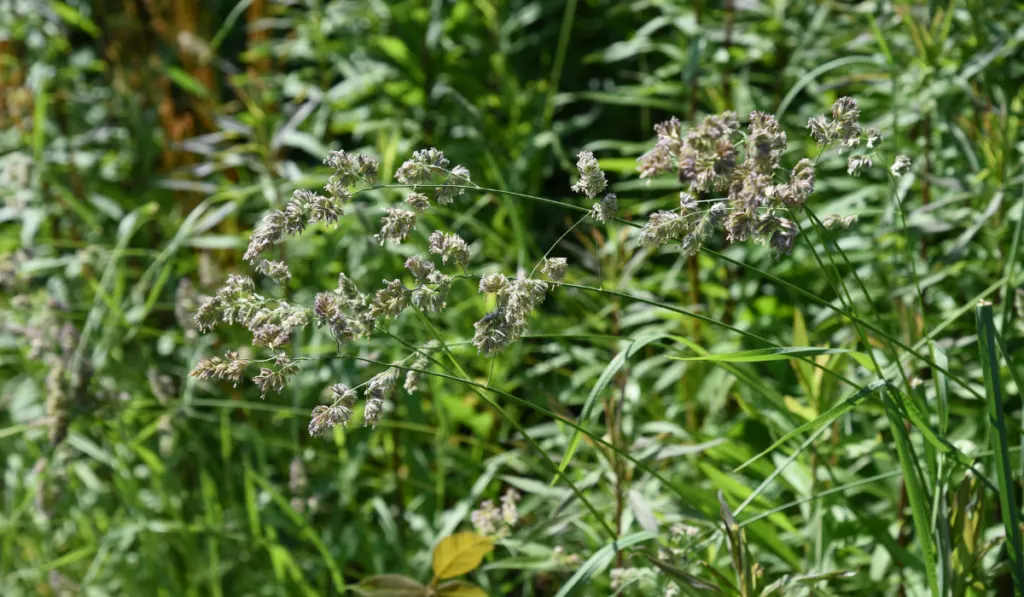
[(142, 140)]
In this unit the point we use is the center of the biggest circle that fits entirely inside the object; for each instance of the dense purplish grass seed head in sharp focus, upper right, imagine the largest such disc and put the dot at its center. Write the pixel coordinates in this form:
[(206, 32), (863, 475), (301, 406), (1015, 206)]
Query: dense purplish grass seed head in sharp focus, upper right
[(715, 158)]
